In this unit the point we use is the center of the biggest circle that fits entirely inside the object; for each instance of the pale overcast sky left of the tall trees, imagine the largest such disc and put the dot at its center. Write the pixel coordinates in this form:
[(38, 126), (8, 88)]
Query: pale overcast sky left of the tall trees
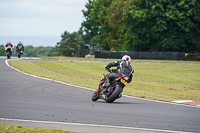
[(40, 17)]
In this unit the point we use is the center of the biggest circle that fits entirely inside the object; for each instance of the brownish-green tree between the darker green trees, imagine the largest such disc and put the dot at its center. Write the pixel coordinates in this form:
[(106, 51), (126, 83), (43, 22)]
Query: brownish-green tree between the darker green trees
[(112, 17)]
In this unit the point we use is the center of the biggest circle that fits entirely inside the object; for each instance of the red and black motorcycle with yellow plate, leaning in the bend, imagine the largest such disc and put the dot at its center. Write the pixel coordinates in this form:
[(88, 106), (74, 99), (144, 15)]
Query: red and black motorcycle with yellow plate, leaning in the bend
[(113, 91)]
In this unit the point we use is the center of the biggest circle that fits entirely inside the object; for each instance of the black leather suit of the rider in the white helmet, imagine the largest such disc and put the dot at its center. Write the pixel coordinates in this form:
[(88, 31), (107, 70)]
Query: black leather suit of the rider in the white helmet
[(124, 68)]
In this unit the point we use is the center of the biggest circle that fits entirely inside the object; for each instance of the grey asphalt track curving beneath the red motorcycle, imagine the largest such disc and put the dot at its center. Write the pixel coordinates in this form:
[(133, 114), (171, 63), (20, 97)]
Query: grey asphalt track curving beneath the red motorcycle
[(32, 101)]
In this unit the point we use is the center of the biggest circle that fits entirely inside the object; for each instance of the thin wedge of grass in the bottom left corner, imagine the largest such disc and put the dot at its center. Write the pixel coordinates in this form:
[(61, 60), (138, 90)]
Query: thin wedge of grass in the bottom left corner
[(20, 129)]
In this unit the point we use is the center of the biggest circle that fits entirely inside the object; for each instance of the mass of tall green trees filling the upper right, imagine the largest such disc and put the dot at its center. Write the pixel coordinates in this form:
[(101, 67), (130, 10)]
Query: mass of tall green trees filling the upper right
[(143, 25)]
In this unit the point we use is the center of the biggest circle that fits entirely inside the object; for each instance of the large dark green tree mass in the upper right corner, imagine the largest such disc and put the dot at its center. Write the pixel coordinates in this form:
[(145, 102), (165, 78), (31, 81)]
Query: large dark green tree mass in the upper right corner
[(164, 25)]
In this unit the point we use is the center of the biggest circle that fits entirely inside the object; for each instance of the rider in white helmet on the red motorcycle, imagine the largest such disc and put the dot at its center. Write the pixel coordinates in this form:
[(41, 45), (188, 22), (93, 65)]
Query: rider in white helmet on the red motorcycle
[(124, 68)]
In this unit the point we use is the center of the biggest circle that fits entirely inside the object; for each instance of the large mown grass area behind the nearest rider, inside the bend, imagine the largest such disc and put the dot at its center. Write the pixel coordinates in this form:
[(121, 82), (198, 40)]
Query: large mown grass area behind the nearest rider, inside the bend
[(154, 81)]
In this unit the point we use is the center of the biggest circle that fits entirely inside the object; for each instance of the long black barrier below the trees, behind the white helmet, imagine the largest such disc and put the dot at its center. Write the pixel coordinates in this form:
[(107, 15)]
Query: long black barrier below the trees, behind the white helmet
[(142, 55)]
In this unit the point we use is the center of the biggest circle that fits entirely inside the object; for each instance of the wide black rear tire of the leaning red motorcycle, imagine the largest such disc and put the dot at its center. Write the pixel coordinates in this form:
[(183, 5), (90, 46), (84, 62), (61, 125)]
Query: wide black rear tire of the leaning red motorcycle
[(118, 90)]
